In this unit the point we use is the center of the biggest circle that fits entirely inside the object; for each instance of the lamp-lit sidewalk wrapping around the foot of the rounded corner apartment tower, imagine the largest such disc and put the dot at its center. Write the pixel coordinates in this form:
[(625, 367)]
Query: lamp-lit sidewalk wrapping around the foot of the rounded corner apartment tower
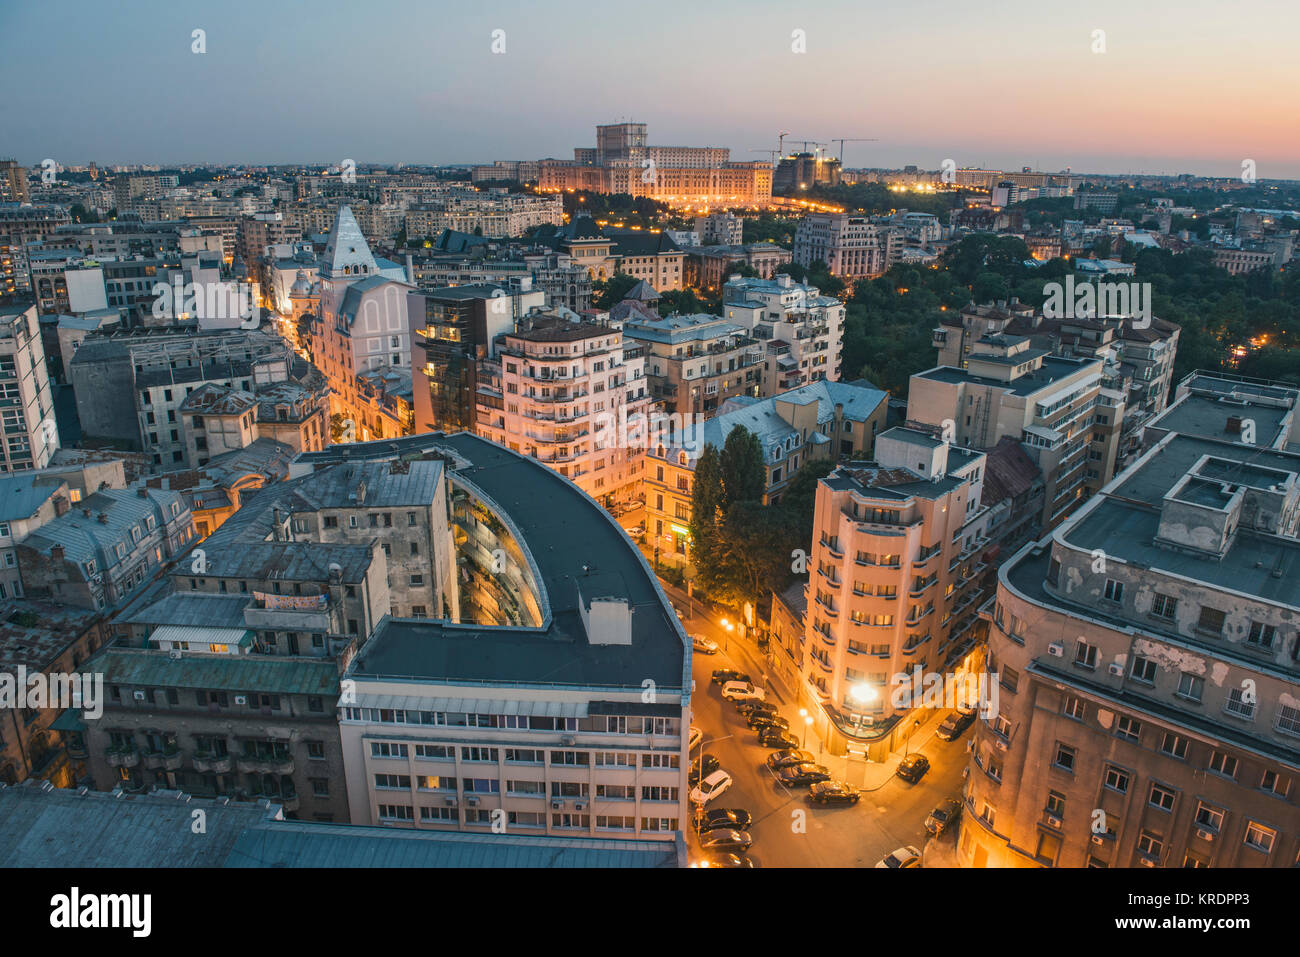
[(868, 776)]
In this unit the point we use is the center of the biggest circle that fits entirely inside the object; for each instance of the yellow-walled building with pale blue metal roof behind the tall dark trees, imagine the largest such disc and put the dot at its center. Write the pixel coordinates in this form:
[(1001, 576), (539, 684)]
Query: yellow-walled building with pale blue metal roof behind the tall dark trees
[(824, 421)]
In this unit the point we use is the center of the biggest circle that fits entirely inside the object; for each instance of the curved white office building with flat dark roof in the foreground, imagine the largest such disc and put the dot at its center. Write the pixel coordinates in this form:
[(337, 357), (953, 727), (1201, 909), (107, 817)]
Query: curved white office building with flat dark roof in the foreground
[(536, 717)]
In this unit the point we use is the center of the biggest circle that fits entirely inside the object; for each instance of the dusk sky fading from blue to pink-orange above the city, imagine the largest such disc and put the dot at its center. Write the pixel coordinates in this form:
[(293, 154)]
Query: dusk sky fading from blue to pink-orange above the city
[(1197, 86)]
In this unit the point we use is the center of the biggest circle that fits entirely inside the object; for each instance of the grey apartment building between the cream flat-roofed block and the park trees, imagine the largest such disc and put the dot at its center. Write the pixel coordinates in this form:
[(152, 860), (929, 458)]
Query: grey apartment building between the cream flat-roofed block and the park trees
[(1138, 356)]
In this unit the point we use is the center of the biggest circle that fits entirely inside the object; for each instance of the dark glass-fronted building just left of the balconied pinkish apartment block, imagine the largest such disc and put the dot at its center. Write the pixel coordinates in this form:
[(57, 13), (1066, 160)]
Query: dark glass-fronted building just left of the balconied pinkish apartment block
[(452, 332)]
